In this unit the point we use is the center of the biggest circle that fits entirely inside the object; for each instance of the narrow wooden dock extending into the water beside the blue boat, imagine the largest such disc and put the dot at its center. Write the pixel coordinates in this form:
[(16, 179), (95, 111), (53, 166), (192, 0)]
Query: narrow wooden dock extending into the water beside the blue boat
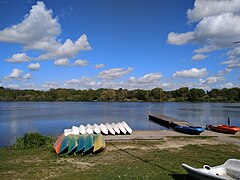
[(167, 121)]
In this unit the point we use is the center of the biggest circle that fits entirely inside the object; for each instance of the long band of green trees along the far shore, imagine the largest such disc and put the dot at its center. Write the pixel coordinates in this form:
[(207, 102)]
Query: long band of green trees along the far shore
[(182, 94)]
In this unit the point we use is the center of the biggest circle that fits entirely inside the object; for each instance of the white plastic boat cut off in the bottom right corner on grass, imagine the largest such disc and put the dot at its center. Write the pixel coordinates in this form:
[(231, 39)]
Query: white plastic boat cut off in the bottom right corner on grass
[(229, 170)]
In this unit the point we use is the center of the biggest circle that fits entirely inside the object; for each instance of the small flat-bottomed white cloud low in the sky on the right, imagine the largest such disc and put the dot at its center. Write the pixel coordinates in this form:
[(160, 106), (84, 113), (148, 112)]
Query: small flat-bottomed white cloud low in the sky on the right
[(192, 73)]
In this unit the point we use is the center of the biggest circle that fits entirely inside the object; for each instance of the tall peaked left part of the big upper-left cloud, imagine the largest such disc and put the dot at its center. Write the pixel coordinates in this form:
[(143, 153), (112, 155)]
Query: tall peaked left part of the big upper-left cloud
[(38, 26)]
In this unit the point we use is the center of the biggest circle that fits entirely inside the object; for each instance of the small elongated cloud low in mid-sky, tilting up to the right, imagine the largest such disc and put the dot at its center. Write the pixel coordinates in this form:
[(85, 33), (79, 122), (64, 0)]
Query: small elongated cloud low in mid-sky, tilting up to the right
[(114, 73)]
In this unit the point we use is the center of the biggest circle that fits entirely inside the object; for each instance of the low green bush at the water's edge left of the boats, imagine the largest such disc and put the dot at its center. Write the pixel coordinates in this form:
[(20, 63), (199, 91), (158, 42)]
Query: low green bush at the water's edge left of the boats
[(32, 140)]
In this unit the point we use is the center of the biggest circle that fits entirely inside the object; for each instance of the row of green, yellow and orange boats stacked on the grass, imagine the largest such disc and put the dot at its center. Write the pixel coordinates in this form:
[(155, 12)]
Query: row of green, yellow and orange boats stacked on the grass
[(79, 144)]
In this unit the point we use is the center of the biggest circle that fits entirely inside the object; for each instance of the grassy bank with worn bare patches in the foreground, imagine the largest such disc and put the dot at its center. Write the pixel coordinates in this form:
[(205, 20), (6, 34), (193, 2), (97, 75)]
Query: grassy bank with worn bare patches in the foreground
[(121, 160)]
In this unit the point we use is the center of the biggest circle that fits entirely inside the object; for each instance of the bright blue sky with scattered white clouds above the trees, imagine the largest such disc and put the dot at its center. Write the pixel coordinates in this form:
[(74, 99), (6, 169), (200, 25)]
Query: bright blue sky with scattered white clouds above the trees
[(132, 44)]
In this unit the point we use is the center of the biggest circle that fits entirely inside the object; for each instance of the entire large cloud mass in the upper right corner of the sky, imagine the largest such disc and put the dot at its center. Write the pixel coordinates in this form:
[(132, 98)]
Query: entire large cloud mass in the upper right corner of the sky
[(216, 28)]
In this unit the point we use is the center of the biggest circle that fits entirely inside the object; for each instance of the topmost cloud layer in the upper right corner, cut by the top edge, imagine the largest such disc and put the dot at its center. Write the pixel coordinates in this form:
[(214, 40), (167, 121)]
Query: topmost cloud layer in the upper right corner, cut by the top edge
[(203, 8)]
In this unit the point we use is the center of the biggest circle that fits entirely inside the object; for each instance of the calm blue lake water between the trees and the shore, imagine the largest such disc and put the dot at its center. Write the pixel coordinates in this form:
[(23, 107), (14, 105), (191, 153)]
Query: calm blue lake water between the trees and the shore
[(17, 118)]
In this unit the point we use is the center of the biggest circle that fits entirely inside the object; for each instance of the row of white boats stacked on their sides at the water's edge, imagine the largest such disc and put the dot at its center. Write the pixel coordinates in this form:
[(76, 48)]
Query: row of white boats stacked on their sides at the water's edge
[(105, 129)]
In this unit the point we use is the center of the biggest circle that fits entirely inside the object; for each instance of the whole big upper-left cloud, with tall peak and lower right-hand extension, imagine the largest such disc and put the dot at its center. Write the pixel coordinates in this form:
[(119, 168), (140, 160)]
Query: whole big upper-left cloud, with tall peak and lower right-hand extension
[(39, 31)]
